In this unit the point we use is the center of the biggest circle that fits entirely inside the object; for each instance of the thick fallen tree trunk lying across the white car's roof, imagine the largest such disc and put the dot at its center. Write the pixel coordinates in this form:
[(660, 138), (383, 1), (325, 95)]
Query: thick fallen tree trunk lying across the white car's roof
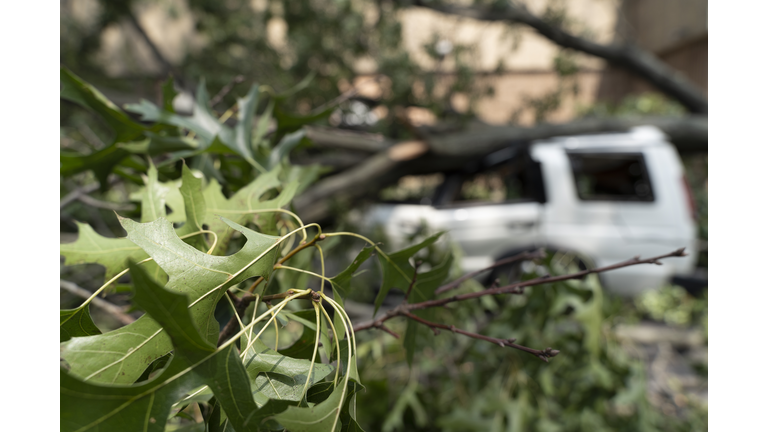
[(454, 151)]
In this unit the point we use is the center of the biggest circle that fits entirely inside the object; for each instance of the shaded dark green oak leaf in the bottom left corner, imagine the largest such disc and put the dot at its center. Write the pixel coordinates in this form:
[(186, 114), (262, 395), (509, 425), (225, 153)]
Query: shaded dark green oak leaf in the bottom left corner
[(90, 407)]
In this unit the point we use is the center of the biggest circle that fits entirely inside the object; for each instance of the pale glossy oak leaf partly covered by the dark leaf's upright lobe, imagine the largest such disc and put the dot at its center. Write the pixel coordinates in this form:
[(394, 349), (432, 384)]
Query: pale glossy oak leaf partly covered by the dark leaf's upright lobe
[(121, 356)]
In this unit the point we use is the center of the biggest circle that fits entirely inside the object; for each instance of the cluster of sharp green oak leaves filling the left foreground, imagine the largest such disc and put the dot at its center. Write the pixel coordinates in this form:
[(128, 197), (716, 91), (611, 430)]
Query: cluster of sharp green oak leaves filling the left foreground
[(192, 250)]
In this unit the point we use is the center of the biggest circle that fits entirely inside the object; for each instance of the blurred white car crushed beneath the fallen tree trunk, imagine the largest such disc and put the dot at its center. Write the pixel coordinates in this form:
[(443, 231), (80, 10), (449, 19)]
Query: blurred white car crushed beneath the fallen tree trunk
[(606, 198)]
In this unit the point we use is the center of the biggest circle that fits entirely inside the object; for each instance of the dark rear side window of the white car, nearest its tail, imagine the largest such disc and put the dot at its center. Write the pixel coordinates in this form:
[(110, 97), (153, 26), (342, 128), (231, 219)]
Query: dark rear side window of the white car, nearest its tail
[(611, 177)]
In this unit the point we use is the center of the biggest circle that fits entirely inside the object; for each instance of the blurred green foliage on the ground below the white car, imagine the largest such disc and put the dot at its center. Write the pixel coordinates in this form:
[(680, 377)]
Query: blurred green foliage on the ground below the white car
[(464, 384)]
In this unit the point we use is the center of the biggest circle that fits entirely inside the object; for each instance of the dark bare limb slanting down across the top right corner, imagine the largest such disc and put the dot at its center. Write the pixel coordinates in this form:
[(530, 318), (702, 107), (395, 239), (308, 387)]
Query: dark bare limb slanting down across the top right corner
[(629, 57)]
